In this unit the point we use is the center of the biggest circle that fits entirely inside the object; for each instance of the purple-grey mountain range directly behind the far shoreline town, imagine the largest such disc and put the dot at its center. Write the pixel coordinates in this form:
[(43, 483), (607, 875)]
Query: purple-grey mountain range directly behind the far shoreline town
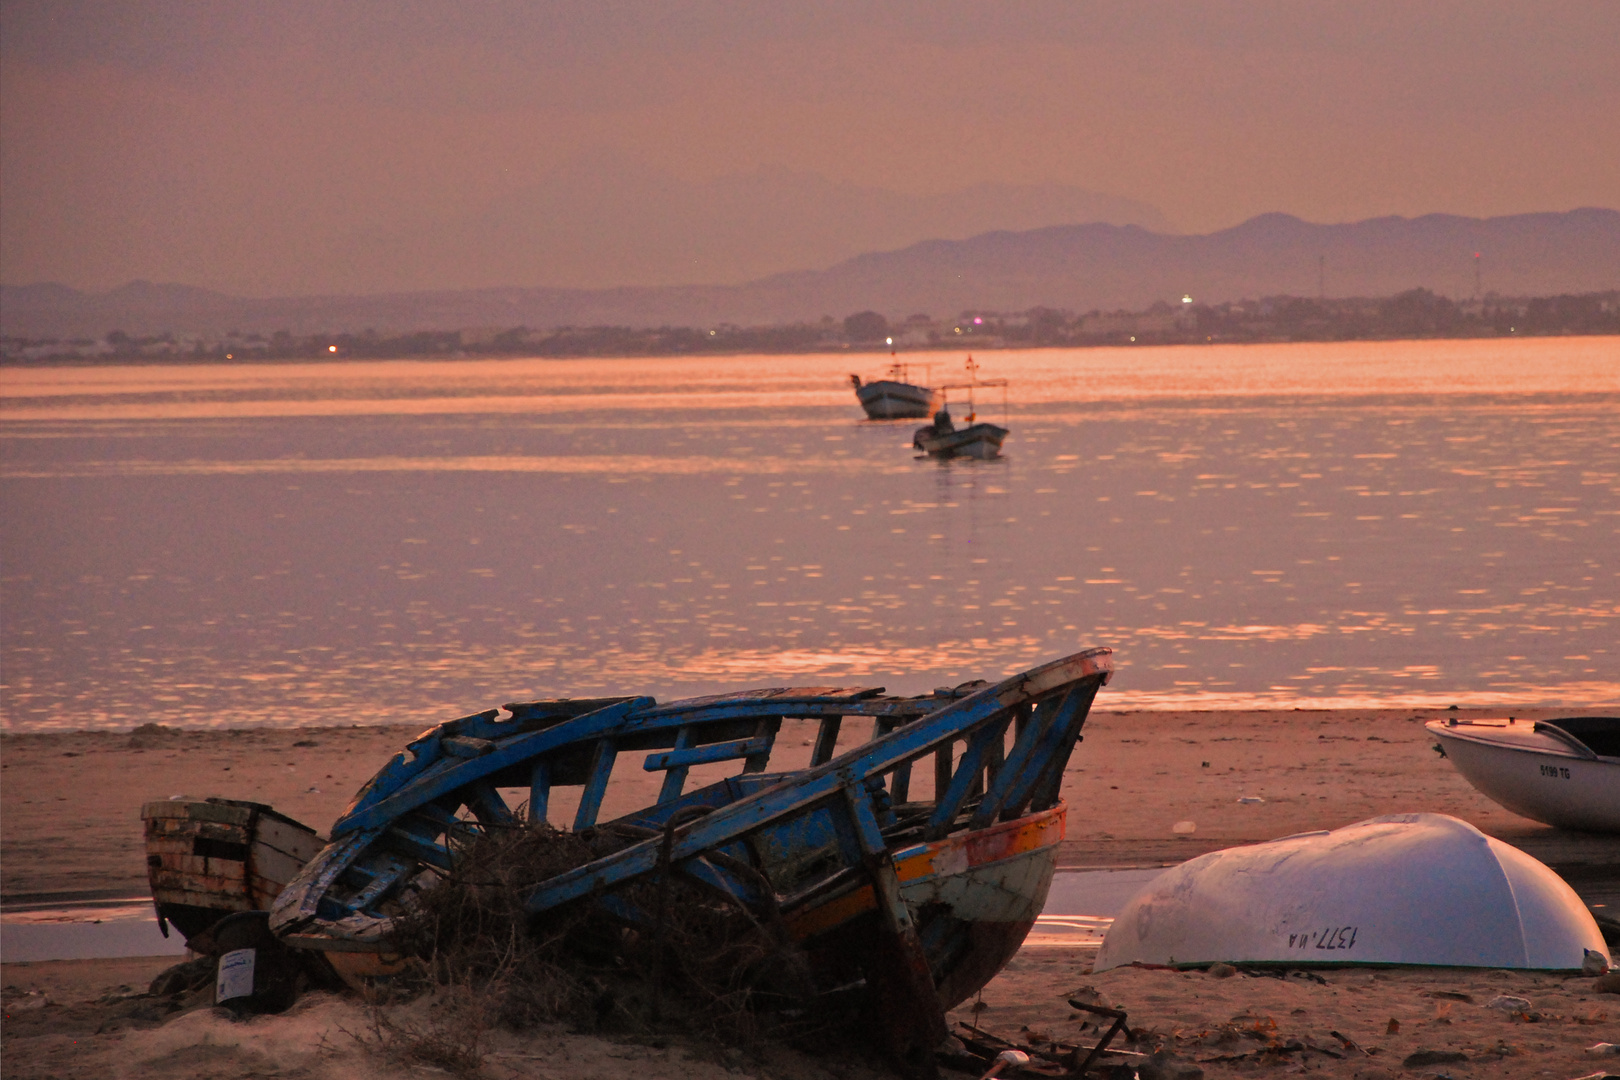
[(1075, 268)]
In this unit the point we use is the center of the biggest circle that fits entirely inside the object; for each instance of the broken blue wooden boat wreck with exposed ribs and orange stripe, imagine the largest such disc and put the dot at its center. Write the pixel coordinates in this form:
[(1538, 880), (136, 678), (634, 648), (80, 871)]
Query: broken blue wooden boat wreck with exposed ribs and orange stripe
[(923, 899)]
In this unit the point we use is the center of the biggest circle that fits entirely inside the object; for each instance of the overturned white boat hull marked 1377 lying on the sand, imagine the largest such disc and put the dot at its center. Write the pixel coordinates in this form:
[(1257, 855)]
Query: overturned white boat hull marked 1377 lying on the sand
[(1420, 890)]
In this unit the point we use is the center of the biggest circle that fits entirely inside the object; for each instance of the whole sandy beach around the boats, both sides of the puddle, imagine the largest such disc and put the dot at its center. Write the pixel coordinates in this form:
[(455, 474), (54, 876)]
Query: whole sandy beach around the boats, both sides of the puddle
[(72, 831)]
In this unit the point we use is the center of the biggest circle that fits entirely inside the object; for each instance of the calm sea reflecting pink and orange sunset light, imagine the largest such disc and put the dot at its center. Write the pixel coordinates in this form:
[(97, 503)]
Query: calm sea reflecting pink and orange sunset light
[(1263, 525)]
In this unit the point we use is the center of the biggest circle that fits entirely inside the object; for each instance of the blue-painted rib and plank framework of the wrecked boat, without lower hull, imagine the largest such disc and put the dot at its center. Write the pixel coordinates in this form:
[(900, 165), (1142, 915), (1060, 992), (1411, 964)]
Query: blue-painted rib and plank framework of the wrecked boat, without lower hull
[(785, 809)]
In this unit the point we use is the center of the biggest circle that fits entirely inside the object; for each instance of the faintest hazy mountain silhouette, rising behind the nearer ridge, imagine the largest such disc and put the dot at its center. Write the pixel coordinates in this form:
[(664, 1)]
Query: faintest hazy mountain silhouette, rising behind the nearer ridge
[(612, 221)]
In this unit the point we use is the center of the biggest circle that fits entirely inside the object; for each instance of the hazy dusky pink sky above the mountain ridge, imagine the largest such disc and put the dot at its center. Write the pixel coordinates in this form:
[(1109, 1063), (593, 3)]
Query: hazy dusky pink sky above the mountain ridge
[(349, 147)]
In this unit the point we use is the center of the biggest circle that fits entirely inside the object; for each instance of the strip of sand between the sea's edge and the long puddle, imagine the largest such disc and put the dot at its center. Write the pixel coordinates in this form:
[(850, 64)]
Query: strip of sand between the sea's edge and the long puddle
[(72, 799)]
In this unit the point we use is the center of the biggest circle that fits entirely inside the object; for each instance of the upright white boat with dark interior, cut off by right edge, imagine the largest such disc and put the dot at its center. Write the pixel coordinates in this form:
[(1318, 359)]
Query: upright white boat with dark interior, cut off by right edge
[(1562, 773)]
